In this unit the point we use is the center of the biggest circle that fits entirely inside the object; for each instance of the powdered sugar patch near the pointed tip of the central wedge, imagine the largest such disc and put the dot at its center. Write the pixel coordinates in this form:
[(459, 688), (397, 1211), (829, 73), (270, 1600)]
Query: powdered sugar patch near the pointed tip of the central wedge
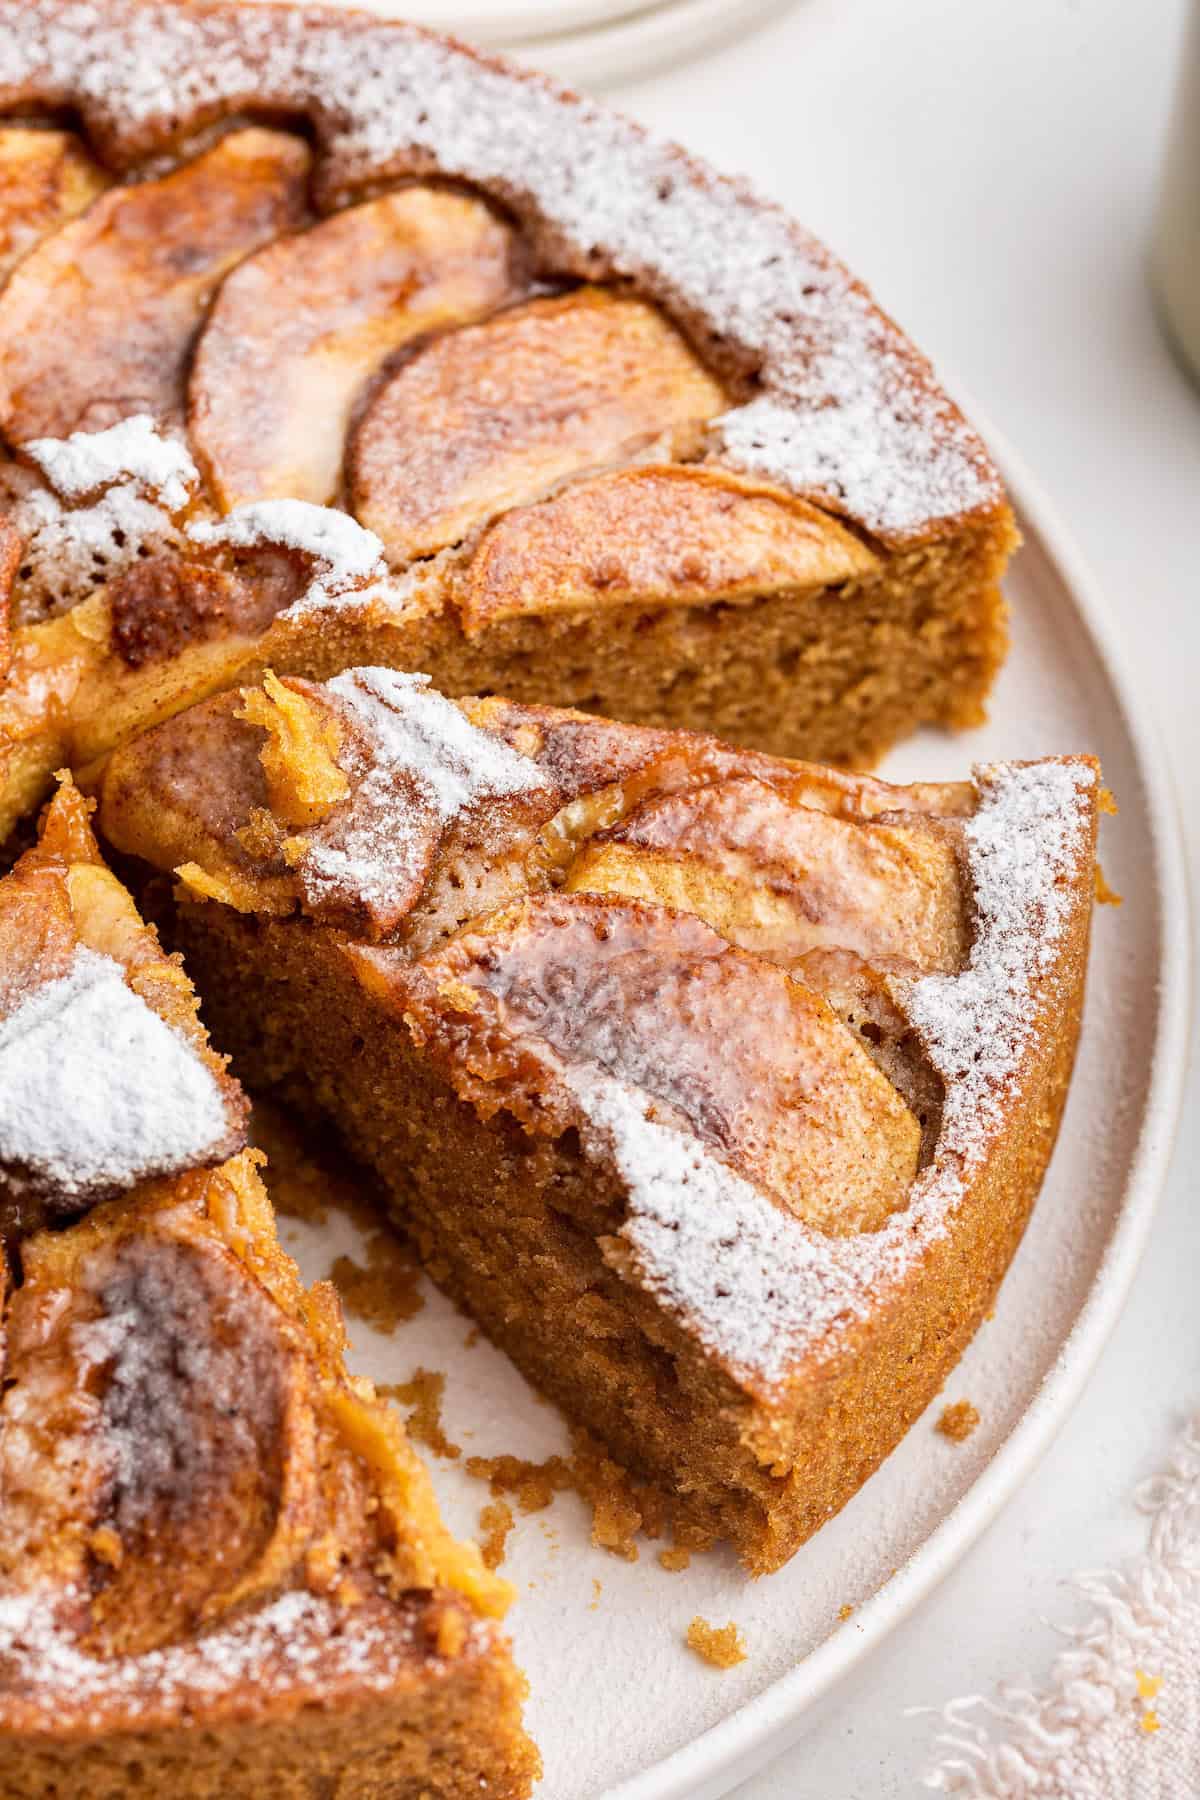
[(418, 762)]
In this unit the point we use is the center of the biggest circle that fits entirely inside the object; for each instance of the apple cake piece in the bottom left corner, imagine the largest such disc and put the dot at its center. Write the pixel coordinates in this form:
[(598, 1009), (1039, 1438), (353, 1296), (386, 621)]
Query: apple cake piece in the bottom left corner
[(222, 1569)]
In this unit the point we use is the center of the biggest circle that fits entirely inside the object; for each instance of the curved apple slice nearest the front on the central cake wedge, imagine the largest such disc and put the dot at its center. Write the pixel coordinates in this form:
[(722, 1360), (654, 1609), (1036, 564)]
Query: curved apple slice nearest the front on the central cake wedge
[(757, 1065)]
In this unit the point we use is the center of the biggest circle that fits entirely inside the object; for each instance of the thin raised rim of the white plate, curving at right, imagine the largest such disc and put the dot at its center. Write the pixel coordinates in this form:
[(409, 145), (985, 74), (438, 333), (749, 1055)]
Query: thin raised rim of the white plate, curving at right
[(764, 1727)]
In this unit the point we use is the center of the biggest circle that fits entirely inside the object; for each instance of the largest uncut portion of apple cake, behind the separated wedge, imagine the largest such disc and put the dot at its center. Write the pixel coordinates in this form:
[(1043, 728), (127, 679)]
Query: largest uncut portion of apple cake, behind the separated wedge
[(330, 343)]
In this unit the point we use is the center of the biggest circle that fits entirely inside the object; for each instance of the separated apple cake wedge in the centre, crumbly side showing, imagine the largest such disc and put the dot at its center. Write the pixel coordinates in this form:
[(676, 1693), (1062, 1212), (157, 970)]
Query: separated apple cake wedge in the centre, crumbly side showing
[(717, 1088)]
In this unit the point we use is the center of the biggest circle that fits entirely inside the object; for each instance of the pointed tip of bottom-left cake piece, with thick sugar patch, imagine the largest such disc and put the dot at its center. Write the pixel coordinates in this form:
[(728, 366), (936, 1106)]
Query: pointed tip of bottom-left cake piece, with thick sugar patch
[(105, 1070)]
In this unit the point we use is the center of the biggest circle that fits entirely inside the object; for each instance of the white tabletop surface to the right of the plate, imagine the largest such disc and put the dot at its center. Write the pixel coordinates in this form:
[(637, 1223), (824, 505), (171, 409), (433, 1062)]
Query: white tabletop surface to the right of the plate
[(990, 170)]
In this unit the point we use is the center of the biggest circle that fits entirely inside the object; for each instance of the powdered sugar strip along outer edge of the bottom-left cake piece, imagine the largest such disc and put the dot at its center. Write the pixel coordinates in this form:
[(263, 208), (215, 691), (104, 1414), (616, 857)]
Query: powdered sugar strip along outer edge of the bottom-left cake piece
[(300, 1641)]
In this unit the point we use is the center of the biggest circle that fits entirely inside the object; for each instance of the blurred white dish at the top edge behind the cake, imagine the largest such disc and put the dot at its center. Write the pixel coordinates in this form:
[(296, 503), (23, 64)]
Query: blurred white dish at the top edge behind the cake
[(586, 42)]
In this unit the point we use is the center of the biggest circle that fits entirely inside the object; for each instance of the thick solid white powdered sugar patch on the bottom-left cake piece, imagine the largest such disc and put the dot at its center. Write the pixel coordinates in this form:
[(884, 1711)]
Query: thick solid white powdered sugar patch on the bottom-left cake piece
[(98, 1092)]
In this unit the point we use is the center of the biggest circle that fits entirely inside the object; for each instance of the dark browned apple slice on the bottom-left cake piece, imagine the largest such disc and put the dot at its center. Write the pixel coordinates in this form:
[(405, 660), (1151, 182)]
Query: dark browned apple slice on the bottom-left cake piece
[(195, 1435)]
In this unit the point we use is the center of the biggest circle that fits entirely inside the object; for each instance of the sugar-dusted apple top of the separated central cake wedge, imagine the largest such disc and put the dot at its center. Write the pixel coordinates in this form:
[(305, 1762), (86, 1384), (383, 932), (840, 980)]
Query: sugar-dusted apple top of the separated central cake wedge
[(791, 1007)]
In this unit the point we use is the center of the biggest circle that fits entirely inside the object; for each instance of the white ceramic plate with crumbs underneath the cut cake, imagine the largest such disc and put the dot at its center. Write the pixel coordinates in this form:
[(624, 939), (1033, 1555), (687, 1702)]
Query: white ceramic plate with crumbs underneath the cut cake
[(620, 1705)]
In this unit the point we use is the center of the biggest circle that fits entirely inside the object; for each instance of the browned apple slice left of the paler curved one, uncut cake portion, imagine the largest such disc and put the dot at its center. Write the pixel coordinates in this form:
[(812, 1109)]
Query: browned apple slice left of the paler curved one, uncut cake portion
[(127, 285)]
